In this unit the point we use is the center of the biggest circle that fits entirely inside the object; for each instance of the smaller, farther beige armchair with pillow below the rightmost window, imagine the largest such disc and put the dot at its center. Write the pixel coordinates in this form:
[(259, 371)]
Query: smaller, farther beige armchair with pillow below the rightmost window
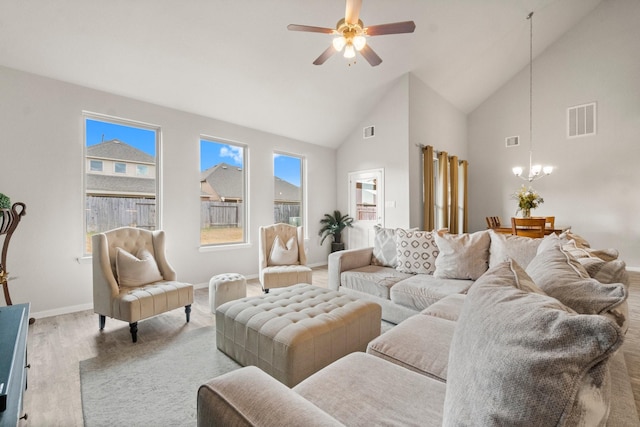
[(282, 257)]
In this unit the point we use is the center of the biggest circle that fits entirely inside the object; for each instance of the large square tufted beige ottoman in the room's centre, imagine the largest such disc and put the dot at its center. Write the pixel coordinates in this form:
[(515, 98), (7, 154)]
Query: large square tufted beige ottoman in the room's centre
[(295, 331)]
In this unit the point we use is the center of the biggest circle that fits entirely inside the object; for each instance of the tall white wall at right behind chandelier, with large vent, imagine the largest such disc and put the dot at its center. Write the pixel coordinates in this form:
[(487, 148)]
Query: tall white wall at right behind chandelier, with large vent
[(595, 185)]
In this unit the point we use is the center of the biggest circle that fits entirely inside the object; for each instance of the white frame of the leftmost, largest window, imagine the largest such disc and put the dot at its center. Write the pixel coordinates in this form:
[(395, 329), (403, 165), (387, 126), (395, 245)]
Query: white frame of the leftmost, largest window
[(89, 115)]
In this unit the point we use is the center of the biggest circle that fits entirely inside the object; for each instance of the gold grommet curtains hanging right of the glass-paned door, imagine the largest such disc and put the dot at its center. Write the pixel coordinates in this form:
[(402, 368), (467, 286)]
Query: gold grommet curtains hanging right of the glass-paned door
[(445, 192)]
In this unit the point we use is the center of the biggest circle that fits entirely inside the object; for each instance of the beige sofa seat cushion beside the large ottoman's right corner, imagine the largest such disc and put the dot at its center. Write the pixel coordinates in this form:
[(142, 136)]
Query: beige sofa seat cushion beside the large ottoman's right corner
[(420, 343)]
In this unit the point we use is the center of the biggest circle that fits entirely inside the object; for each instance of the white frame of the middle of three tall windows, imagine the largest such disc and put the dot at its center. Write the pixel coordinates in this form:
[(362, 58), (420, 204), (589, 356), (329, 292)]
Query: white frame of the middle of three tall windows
[(245, 193)]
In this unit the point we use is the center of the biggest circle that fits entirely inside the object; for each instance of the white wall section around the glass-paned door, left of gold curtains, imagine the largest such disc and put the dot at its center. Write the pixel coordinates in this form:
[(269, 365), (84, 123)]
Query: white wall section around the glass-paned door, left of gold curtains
[(409, 113)]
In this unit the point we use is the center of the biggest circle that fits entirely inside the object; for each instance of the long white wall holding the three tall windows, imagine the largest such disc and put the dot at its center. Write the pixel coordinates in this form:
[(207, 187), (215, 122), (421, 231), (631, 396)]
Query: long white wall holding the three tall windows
[(41, 164)]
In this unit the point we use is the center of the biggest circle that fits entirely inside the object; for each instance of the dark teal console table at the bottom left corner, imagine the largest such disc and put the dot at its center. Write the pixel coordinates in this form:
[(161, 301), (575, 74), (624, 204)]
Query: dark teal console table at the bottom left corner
[(14, 321)]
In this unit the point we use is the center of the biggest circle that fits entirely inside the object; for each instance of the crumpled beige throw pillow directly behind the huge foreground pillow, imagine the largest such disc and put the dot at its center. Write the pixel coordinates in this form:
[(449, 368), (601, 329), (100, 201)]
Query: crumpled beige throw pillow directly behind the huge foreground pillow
[(563, 277)]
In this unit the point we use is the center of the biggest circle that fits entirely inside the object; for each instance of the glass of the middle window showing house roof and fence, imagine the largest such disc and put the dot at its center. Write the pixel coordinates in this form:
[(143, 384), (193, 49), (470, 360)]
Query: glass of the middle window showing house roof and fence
[(222, 192)]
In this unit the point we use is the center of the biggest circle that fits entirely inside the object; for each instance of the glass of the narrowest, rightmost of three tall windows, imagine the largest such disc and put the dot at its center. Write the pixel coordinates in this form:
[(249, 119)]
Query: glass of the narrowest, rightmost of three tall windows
[(288, 197)]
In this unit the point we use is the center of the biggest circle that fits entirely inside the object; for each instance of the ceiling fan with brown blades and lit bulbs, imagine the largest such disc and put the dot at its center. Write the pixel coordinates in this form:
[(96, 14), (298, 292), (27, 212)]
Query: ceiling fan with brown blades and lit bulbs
[(351, 34)]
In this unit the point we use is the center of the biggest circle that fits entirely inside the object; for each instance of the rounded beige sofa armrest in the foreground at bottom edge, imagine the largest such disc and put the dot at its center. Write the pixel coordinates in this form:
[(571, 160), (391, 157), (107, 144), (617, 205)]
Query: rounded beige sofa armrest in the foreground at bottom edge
[(250, 397)]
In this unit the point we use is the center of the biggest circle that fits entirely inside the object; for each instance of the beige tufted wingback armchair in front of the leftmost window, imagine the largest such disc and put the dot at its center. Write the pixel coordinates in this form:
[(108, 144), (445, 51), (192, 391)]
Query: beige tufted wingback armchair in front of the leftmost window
[(132, 279)]
